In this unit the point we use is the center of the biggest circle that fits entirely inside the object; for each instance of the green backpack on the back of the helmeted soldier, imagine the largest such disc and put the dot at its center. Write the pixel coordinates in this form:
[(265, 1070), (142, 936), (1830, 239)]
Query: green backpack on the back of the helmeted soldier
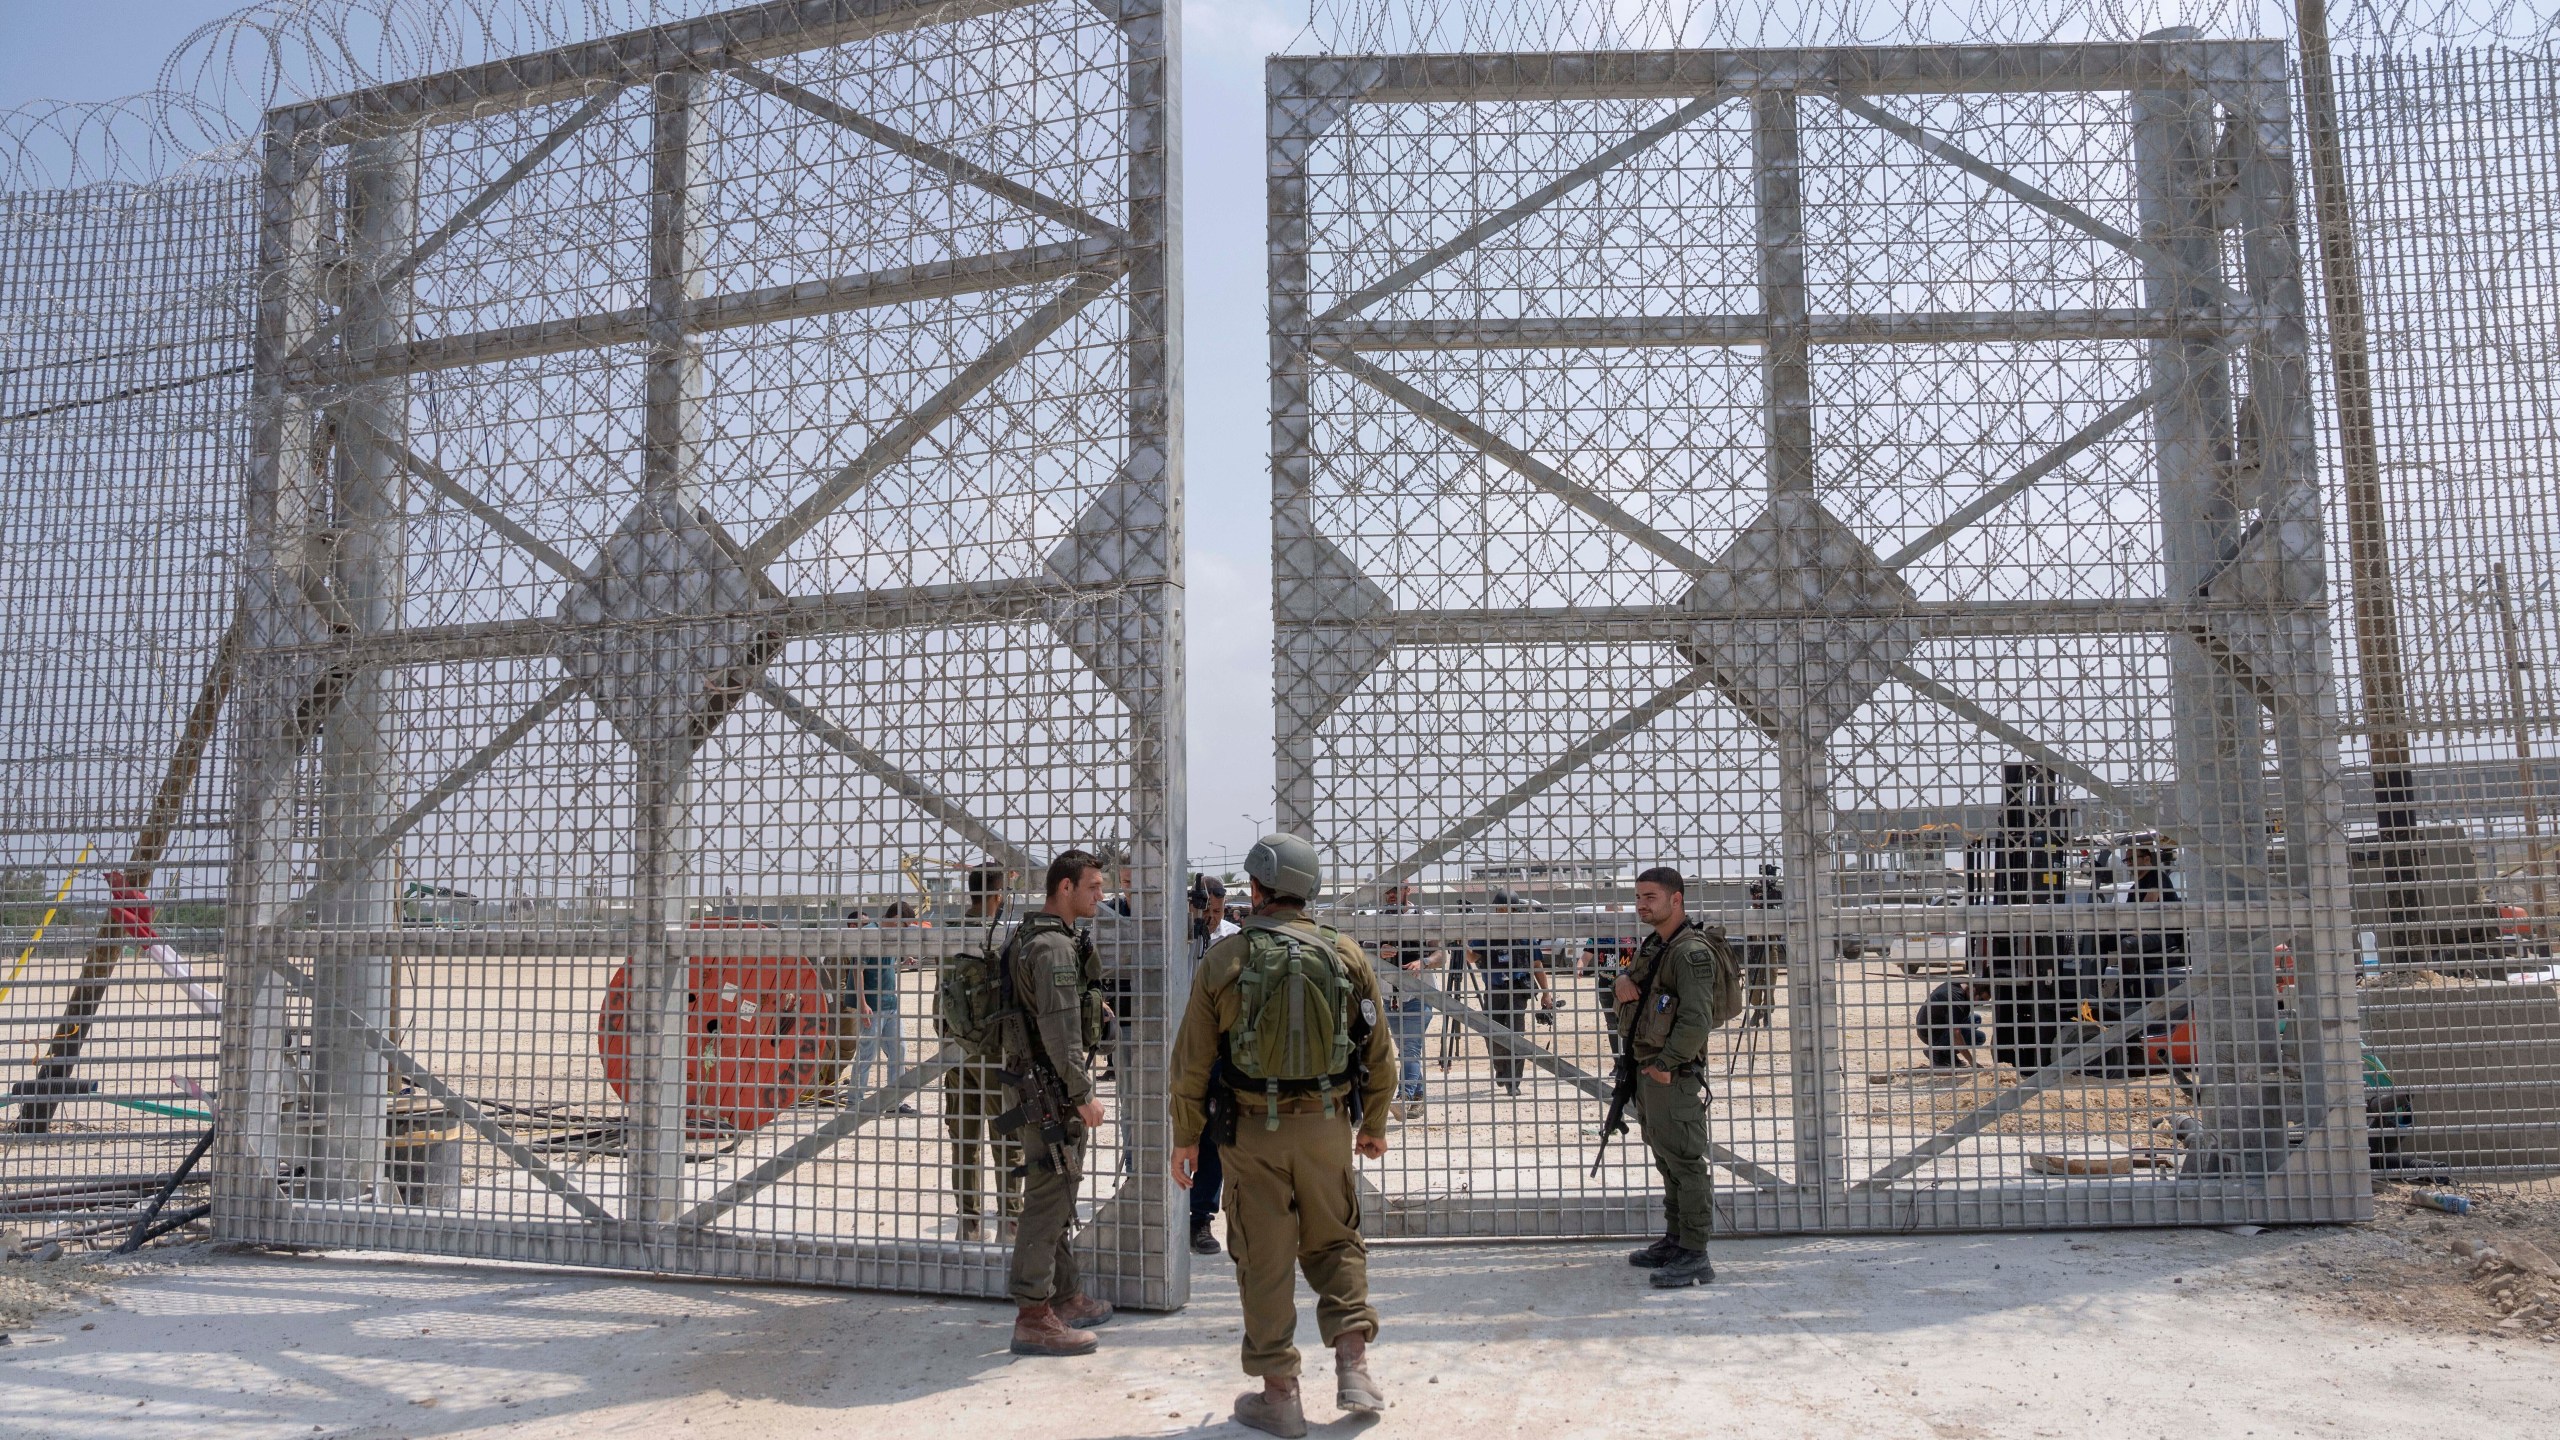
[(1294, 1016)]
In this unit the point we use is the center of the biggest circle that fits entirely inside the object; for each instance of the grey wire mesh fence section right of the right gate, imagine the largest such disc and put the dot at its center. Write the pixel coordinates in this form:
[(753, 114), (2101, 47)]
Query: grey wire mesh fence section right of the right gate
[(2451, 181)]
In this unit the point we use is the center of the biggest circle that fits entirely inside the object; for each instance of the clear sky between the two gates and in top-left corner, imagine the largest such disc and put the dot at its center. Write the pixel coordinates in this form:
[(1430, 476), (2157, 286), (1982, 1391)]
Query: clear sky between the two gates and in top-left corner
[(55, 50)]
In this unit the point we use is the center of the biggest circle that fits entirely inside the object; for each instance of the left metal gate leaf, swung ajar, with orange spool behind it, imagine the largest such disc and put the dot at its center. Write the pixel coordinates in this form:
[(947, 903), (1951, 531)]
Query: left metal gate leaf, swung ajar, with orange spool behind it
[(710, 532)]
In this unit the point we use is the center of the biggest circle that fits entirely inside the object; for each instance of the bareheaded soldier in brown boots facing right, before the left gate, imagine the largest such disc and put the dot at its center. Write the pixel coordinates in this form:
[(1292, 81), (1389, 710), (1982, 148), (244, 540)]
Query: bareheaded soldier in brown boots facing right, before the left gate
[(1059, 988)]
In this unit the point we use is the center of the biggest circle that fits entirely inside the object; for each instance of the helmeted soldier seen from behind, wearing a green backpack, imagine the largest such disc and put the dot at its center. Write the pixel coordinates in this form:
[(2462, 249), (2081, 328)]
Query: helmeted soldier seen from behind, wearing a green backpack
[(1284, 1024)]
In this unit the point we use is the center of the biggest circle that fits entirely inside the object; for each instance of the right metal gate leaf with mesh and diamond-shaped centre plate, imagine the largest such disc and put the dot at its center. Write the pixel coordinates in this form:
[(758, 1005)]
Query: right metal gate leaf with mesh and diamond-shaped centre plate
[(1883, 486)]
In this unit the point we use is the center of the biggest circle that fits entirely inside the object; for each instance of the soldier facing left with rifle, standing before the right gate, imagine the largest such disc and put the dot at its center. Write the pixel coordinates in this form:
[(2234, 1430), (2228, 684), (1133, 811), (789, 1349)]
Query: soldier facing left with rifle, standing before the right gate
[(1665, 1013)]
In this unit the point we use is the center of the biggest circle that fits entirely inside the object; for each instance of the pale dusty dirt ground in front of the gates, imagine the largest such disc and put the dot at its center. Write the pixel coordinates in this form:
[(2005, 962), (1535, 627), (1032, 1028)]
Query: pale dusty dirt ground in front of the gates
[(2193, 1334)]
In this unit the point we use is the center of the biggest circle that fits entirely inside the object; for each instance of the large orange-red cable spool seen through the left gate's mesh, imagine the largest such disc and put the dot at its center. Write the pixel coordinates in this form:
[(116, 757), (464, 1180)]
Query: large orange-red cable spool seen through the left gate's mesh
[(754, 1036)]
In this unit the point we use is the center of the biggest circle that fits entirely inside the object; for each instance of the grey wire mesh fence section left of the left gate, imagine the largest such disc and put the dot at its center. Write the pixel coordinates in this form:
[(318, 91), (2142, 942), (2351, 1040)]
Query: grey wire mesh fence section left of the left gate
[(127, 334)]
